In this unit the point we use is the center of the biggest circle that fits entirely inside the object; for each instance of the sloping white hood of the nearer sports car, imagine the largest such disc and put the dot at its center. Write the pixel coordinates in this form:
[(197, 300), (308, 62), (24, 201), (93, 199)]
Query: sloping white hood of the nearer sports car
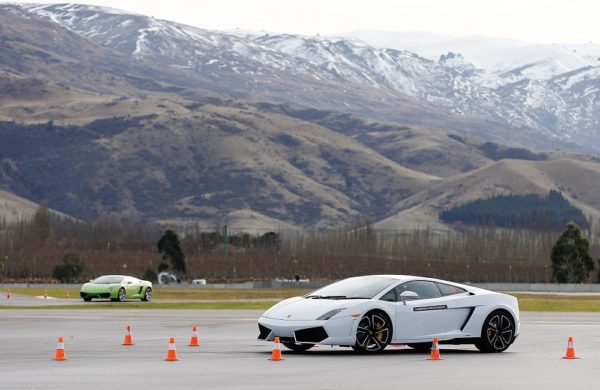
[(308, 309)]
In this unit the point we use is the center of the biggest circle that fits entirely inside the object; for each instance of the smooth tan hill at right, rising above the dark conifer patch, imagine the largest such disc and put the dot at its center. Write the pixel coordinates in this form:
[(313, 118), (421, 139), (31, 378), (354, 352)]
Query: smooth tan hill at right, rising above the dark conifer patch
[(577, 180)]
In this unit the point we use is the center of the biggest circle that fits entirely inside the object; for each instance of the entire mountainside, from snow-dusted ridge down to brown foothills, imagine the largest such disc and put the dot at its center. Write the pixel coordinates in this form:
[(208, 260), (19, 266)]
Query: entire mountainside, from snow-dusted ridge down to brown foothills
[(115, 131)]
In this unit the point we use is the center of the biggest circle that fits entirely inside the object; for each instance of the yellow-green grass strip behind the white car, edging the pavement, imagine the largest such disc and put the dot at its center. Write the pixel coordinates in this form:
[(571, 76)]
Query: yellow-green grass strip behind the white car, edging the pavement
[(231, 299)]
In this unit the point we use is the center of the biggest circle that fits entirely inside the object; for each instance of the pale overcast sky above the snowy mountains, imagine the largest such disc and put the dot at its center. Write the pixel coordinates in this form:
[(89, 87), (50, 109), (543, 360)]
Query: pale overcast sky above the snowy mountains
[(549, 21)]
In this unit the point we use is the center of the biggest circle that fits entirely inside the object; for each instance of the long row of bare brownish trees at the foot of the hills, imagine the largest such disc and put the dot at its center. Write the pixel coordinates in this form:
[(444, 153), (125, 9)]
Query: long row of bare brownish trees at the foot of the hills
[(32, 250)]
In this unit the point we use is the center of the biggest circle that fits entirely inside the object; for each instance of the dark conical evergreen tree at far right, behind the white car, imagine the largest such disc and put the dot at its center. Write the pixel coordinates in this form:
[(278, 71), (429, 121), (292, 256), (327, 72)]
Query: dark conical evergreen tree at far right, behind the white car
[(571, 259)]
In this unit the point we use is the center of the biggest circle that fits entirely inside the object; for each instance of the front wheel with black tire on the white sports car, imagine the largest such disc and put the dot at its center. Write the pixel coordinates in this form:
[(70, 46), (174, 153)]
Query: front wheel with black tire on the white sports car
[(374, 332)]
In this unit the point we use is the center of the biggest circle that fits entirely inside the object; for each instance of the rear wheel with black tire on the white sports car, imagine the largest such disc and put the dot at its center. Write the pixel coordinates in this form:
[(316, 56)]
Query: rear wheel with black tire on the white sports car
[(497, 333)]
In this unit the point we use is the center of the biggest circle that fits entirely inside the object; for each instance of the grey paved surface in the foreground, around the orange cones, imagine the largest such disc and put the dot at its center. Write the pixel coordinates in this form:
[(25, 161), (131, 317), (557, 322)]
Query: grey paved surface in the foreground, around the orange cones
[(231, 357)]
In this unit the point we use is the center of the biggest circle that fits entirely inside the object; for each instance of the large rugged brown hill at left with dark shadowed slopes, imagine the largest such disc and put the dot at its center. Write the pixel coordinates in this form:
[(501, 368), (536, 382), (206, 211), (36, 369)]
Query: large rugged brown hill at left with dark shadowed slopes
[(196, 161)]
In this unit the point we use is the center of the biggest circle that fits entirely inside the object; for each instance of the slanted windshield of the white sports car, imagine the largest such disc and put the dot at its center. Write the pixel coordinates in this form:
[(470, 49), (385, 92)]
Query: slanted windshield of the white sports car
[(354, 288)]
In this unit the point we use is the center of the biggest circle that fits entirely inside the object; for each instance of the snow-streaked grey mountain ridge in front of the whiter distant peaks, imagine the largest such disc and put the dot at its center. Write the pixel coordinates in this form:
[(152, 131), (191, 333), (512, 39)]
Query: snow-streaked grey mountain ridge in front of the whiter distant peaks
[(375, 80)]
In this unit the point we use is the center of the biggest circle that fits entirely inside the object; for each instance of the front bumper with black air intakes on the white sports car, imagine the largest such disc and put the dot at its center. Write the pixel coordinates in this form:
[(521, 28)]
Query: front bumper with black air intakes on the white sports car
[(339, 331)]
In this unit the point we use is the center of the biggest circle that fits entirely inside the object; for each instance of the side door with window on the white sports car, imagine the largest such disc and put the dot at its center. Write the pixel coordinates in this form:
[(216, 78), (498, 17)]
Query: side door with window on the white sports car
[(429, 315)]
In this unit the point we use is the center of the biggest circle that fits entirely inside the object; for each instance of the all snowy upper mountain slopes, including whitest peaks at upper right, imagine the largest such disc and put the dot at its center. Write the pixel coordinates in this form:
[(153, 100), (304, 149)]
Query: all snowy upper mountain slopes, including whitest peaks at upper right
[(549, 95)]
